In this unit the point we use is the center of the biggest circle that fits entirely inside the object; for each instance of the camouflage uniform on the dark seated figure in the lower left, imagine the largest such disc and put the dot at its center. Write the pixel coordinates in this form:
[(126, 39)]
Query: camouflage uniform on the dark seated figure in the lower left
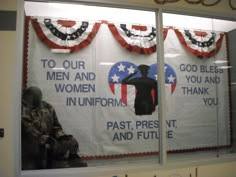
[(43, 138)]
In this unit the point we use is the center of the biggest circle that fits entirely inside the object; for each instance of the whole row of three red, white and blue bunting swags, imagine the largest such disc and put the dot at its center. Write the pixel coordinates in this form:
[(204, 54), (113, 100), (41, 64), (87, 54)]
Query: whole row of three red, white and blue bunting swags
[(69, 36)]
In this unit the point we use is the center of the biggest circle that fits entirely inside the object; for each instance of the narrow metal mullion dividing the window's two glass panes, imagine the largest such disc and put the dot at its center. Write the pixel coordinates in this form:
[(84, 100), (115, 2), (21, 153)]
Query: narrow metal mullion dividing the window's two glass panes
[(161, 89)]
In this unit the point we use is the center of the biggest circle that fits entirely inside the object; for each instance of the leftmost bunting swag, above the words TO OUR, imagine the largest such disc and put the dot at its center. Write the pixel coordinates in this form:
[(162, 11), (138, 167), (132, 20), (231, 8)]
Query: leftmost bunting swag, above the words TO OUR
[(65, 35)]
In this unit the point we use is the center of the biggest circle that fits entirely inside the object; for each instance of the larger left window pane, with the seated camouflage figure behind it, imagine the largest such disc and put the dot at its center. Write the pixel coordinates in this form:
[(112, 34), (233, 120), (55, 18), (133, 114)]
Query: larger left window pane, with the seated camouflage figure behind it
[(97, 76)]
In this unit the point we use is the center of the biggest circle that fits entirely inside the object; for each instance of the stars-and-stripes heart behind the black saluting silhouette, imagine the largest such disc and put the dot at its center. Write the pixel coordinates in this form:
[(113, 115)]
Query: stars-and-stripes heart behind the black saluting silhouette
[(123, 69)]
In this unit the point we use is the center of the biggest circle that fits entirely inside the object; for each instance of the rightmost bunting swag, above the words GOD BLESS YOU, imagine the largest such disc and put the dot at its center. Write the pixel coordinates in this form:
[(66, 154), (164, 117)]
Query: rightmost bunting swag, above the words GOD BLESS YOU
[(200, 43)]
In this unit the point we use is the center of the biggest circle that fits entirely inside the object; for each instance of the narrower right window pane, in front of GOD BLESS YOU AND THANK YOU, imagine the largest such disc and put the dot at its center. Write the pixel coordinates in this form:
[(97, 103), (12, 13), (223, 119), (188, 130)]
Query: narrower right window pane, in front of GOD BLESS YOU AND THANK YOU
[(198, 86)]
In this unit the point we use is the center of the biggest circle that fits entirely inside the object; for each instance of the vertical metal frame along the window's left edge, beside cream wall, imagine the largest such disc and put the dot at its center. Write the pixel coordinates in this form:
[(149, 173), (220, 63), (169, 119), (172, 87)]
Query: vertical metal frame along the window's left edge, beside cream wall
[(16, 85)]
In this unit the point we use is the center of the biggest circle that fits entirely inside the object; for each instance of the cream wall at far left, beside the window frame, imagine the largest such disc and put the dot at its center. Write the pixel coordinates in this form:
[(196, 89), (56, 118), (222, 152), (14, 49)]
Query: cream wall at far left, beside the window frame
[(8, 58)]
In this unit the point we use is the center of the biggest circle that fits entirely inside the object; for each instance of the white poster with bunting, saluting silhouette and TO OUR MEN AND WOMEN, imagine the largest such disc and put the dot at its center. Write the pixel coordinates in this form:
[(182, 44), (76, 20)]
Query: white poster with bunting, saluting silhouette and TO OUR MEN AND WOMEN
[(101, 78)]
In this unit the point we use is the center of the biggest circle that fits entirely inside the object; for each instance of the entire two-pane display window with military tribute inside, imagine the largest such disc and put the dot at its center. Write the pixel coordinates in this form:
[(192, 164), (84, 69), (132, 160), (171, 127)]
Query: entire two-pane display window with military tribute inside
[(91, 86)]
